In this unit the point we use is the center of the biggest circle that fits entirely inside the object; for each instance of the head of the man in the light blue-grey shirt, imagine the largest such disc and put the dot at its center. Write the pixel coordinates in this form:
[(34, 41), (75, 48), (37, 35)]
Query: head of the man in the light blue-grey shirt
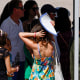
[(16, 8)]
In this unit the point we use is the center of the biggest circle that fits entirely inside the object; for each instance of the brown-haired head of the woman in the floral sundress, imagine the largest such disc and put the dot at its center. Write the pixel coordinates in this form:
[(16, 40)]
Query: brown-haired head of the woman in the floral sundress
[(38, 27)]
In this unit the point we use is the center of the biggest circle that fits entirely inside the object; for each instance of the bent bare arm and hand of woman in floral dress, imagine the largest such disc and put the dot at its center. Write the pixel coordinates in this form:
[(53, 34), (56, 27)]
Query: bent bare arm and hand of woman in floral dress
[(24, 36)]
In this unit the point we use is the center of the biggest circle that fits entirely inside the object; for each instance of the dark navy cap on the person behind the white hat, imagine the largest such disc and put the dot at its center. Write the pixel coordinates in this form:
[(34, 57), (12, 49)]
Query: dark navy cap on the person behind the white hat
[(47, 8)]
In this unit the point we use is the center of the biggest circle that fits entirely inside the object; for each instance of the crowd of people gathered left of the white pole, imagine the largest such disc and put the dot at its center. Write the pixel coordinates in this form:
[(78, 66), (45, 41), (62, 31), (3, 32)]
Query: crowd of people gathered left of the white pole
[(27, 49)]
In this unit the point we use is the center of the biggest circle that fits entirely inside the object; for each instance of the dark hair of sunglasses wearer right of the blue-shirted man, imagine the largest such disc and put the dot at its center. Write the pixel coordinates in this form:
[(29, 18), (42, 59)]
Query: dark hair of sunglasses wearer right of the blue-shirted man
[(27, 6)]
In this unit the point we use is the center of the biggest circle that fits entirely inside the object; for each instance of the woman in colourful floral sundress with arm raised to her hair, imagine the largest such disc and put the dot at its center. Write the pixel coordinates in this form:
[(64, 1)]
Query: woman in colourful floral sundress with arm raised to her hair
[(40, 41)]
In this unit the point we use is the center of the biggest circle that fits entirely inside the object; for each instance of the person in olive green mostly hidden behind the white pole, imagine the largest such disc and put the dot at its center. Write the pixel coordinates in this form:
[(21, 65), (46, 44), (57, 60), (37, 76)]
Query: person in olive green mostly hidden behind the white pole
[(72, 55)]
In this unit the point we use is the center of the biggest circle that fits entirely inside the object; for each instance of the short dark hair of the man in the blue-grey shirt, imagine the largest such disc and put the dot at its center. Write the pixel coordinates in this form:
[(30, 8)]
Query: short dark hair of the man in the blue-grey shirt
[(14, 4)]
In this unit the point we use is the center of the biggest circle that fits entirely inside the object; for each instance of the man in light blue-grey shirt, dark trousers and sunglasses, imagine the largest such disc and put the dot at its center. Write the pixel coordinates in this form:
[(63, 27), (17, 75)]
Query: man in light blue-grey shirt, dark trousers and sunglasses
[(13, 25)]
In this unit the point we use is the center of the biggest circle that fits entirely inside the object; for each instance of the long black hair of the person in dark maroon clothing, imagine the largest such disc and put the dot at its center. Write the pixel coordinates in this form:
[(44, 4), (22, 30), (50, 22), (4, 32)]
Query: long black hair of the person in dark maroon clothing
[(62, 22)]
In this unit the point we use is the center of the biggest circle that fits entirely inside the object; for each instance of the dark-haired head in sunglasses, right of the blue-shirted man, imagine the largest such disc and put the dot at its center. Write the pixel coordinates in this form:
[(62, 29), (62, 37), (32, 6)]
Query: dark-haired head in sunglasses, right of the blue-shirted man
[(31, 7)]
